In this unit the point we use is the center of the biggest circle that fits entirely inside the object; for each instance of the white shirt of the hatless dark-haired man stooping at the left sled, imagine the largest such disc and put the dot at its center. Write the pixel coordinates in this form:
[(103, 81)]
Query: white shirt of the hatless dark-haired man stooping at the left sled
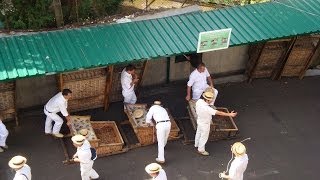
[(57, 104)]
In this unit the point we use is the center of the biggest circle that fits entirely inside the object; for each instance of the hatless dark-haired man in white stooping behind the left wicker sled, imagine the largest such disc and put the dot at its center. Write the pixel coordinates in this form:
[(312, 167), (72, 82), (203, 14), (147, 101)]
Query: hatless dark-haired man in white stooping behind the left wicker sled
[(57, 103)]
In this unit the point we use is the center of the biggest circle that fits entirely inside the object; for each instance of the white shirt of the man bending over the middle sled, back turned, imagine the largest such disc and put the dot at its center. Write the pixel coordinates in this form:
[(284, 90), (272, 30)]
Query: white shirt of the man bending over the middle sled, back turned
[(158, 113)]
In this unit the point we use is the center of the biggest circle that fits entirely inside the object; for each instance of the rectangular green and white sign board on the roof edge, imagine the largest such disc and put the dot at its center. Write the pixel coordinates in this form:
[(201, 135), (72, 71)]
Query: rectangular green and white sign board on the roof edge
[(213, 40)]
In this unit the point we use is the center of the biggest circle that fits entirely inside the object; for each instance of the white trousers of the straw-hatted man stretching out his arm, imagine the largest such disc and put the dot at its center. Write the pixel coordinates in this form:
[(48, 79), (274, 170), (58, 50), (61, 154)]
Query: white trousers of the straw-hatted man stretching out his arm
[(202, 136)]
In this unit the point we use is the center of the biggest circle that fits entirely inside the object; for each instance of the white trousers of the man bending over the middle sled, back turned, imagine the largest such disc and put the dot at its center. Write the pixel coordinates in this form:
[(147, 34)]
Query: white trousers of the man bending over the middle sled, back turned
[(163, 131)]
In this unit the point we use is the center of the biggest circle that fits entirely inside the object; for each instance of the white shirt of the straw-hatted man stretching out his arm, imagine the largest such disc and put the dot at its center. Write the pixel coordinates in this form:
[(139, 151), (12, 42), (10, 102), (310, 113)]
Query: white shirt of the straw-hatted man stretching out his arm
[(204, 112)]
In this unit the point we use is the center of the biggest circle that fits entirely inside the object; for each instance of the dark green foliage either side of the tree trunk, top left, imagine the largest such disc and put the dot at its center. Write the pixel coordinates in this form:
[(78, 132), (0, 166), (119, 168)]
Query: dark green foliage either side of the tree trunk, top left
[(38, 14)]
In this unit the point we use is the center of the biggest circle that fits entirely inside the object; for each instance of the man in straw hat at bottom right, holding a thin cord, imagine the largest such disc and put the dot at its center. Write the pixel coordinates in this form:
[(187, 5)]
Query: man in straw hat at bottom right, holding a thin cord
[(239, 164)]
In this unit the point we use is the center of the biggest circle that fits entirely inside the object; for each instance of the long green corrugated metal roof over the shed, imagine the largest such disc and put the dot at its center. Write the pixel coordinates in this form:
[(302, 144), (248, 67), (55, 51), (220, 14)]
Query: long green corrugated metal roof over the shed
[(73, 49)]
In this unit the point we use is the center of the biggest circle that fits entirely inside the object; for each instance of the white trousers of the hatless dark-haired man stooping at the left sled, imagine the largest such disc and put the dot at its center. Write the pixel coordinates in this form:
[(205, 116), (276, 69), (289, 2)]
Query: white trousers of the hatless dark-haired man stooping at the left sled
[(58, 121)]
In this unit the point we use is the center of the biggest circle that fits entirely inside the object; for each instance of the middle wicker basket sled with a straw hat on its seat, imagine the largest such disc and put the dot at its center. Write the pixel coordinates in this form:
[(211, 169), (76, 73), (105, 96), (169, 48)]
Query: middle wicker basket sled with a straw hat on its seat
[(147, 134)]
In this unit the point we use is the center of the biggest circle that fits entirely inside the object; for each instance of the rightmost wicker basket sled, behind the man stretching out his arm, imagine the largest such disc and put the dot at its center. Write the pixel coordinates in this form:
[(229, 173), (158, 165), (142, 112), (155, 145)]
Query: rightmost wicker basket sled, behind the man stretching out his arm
[(221, 127)]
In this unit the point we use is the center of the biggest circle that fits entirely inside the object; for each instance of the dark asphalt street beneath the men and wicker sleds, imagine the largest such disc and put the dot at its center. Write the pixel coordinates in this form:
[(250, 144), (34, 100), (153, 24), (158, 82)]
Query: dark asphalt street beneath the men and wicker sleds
[(281, 117)]
